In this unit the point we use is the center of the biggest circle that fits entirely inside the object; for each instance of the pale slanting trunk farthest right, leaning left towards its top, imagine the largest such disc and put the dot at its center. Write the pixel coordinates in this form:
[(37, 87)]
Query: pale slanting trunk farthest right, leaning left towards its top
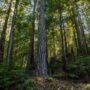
[(82, 27)]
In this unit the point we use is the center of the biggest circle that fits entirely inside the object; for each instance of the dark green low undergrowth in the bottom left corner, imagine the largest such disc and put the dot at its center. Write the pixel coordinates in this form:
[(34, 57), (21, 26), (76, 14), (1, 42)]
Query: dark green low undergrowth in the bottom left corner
[(10, 78)]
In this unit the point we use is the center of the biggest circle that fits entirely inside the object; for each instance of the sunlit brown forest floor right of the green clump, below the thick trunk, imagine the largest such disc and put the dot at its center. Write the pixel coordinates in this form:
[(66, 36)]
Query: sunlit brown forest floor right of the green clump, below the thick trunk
[(56, 84)]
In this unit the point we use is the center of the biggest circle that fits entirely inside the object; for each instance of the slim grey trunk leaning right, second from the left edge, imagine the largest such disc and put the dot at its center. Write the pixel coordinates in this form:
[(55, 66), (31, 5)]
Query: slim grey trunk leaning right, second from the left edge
[(11, 37)]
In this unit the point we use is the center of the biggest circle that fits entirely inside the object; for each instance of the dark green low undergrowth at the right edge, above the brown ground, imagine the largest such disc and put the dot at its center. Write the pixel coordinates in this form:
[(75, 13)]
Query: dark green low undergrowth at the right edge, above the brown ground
[(80, 68)]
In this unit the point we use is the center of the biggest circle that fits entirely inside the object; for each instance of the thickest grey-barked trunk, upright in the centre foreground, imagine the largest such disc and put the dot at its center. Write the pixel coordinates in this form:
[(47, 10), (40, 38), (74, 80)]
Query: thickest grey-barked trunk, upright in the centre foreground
[(41, 53)]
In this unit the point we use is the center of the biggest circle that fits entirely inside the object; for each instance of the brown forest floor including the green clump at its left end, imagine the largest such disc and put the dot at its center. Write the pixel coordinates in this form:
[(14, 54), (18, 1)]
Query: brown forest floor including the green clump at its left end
[(50, 83)]
